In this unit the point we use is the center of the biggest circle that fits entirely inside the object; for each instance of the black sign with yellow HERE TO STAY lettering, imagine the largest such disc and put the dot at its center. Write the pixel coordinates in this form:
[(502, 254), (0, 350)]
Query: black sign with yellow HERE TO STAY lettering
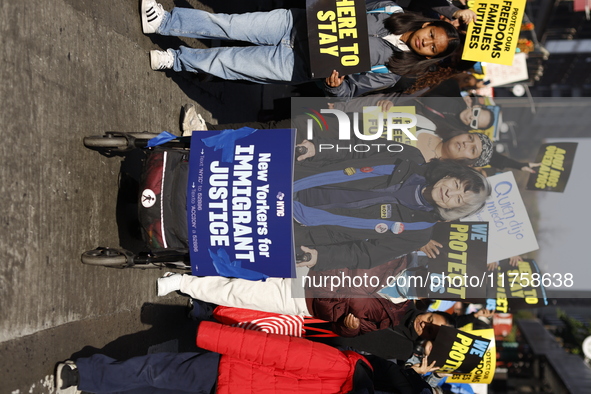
[(337, 37)]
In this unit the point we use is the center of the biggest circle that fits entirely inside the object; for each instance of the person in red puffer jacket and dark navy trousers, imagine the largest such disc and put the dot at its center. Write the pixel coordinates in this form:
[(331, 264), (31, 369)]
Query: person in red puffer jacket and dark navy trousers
[(240, 361)]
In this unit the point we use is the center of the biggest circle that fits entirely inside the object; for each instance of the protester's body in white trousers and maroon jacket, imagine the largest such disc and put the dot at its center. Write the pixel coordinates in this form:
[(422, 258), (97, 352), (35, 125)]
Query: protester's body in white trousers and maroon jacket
[(351, 310)]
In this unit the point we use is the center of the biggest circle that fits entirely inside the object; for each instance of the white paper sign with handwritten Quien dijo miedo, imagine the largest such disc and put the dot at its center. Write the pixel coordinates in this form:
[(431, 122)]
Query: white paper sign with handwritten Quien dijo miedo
[(510, 230)]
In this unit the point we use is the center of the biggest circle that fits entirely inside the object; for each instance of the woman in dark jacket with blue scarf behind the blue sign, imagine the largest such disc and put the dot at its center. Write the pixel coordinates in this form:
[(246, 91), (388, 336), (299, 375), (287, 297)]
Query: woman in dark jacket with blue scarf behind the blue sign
[(339, 230)]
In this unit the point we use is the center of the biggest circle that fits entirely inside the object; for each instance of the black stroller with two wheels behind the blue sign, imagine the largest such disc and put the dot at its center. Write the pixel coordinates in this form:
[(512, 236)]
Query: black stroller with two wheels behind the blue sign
[(162, 203)]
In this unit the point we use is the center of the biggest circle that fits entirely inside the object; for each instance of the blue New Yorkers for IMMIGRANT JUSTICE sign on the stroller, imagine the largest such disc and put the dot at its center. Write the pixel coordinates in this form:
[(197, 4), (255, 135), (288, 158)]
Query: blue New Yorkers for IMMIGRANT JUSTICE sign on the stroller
[(239, 207)]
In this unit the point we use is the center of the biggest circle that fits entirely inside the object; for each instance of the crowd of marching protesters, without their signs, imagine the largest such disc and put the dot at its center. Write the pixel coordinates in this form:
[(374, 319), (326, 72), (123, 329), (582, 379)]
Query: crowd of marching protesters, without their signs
[(384, 336)]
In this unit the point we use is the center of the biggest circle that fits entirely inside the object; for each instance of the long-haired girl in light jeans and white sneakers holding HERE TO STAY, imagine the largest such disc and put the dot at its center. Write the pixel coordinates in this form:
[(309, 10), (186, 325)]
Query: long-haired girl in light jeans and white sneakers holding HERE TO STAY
[(403, 43)]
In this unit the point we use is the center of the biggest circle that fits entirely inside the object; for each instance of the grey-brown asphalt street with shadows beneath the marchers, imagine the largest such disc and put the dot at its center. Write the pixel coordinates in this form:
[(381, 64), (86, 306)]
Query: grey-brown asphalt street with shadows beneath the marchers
[(72, 68)]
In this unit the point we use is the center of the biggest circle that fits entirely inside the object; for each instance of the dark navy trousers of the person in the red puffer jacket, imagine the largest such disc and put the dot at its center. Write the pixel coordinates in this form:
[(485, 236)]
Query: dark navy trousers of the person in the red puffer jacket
[(155, 373)]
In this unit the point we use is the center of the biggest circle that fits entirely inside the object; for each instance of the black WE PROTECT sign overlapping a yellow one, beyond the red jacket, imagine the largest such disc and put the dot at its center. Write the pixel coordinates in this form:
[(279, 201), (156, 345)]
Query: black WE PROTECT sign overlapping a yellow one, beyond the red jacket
[(457, 351)]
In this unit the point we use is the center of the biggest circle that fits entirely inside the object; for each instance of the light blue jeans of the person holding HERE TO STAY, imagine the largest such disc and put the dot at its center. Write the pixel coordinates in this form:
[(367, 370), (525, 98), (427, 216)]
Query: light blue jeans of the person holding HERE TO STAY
[(272, 60)]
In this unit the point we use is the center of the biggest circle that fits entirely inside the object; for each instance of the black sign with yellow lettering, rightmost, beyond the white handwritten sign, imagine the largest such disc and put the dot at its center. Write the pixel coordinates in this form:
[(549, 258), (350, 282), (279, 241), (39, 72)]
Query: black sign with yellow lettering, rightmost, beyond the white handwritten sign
[(557, 162)]
